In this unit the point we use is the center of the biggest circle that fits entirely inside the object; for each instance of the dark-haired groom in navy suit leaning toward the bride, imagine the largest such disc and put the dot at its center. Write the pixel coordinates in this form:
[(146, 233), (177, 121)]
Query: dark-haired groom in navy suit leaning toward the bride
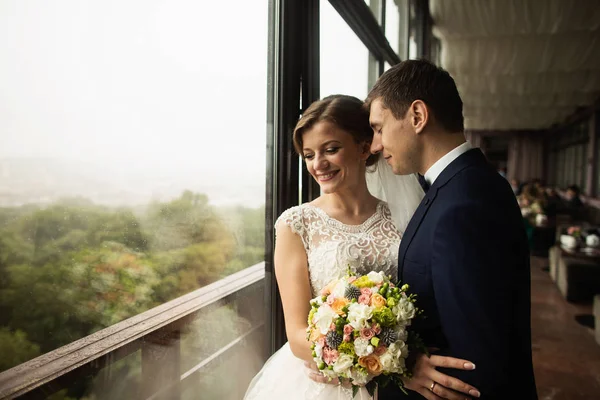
[(465, 252)]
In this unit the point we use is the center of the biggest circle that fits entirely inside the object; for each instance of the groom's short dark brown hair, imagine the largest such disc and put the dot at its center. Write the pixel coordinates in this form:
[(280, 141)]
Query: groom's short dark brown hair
[(413, 80)]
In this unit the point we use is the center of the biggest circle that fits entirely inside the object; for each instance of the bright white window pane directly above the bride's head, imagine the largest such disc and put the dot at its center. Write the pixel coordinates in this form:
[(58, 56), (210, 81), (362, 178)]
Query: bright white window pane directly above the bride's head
[(344, 58)]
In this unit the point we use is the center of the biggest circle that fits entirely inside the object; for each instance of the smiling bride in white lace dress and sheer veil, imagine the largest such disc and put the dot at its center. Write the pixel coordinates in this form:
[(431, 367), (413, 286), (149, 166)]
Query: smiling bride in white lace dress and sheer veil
[(346, 226)]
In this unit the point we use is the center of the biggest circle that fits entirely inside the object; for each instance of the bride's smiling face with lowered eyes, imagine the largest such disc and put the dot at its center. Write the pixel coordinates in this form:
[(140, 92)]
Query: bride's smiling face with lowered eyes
[(333, 157)]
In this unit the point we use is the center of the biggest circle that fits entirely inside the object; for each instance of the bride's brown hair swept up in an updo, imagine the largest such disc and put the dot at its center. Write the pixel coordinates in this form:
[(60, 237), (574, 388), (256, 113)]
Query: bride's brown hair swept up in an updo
[(347, 112)]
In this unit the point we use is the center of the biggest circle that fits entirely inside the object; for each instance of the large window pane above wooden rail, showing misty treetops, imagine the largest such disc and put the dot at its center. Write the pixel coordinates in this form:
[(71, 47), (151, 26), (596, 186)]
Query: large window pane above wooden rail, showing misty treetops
[(132, 161)]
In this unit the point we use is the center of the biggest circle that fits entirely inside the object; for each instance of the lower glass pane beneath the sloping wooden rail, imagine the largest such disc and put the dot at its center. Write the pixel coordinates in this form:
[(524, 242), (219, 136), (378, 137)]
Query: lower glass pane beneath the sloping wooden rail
[(196, 359)]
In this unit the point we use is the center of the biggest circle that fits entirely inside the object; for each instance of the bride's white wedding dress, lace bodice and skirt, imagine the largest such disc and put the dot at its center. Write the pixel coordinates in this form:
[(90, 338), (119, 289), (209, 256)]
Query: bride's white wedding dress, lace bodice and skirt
[(331, 246)]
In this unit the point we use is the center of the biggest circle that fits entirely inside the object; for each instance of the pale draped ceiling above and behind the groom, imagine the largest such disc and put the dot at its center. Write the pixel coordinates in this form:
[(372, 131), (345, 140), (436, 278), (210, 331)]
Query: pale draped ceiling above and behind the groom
[(520, 64)]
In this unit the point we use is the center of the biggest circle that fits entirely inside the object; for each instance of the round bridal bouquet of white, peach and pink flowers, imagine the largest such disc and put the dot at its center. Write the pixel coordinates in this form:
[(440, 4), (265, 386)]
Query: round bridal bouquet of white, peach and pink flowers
[(358, 330)]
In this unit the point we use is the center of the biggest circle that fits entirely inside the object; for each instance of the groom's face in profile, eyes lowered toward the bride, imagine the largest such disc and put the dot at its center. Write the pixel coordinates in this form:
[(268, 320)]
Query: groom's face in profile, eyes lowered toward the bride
[(394, 138)]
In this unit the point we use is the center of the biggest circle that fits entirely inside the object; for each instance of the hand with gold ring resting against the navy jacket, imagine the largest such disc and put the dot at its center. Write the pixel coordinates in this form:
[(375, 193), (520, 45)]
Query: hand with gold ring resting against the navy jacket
[(433, 385)]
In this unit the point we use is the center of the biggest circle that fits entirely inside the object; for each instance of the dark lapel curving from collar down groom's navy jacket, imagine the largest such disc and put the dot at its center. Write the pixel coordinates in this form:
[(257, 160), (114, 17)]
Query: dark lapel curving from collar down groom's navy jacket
[(471, 157)]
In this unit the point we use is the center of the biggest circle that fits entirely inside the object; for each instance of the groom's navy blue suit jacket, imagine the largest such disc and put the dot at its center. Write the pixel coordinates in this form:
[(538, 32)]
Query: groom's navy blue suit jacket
[(465, 254)]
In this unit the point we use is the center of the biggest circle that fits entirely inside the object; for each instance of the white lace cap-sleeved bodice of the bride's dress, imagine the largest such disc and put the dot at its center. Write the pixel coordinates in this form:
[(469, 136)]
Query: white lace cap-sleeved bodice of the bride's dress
[(332, 246)]
